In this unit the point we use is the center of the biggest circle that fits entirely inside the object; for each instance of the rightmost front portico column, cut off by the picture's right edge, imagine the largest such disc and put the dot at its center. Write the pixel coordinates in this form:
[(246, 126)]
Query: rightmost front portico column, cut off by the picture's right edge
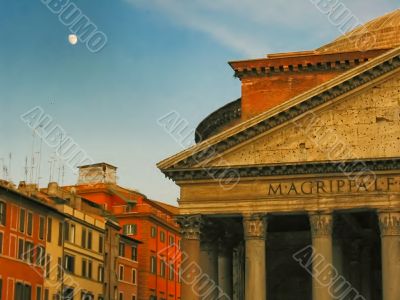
[(389, 223)]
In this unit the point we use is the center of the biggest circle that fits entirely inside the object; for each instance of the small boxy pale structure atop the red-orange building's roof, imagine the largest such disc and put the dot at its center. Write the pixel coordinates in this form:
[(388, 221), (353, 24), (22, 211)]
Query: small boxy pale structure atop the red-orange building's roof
[(97, 173)]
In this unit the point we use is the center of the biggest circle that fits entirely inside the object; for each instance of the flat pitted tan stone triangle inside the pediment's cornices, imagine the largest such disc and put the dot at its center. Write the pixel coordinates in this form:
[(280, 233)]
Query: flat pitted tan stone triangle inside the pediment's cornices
[(362, 126)]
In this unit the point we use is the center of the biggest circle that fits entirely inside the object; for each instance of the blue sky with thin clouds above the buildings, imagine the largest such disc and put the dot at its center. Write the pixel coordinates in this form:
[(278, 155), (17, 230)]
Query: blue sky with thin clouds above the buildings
[(161, 56)]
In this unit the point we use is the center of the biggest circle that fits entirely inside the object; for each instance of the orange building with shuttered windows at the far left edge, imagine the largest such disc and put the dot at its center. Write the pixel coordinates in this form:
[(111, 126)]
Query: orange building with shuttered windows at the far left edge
[(23, 235)]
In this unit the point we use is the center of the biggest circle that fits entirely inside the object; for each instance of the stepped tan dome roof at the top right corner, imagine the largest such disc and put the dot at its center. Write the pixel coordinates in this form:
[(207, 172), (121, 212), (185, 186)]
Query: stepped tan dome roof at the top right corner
[(379, 33)]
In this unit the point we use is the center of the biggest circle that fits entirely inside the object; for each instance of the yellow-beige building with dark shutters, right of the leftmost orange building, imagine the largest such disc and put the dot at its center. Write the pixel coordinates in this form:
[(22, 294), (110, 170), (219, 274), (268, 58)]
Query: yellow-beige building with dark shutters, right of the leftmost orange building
[(80, 272)]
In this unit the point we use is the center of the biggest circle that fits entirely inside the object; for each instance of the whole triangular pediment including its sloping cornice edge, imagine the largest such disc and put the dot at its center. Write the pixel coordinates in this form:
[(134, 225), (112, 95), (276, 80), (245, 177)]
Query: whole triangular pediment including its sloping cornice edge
[(359, 107)]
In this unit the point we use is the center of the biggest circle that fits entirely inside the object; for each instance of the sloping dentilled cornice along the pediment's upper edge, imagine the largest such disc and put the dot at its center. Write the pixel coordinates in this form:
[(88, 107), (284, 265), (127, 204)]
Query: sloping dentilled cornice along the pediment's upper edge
[(354, 79)]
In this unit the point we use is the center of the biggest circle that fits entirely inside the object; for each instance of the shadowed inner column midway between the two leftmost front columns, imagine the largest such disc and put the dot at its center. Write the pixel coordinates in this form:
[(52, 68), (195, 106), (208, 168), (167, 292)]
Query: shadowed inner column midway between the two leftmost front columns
[(225, 265)]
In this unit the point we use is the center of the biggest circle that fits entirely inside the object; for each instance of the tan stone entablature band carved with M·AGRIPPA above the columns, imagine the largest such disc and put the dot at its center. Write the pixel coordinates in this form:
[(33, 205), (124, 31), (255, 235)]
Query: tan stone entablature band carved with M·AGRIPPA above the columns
[(254, 195)]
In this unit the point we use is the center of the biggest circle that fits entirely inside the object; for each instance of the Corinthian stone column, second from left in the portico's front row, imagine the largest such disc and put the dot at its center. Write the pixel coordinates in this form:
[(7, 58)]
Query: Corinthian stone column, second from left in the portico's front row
[(255, 230)]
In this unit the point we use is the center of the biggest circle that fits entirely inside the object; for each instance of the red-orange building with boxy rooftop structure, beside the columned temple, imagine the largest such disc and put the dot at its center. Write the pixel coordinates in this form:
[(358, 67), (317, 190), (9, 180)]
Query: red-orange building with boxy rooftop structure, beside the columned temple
[(148, 221)]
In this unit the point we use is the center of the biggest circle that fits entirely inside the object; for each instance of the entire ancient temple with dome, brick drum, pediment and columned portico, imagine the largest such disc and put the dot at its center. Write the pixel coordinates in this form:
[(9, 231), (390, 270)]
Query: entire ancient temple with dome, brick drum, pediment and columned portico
[(292, 191)]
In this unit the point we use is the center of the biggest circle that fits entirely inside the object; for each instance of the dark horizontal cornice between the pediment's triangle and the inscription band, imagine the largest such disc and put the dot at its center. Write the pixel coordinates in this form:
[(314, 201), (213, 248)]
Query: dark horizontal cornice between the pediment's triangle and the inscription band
[(331, 167)]
